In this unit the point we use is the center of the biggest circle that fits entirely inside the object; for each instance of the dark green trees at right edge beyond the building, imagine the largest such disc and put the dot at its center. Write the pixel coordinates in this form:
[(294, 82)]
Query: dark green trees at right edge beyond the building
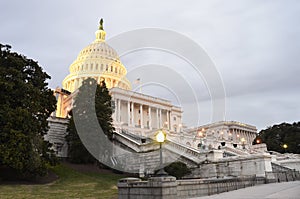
[(276, 136)]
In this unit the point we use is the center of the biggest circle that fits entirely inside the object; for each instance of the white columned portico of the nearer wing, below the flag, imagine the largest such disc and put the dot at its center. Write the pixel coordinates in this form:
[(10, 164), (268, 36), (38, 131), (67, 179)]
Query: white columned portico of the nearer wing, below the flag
[(143, 112)]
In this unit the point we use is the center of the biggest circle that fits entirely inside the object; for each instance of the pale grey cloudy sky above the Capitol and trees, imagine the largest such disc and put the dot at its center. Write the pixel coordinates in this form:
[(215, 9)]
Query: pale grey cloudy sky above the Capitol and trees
[(254, 45)]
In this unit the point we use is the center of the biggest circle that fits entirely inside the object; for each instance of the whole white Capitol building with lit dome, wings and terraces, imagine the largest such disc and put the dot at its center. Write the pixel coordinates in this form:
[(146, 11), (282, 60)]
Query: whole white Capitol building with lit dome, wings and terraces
[(219, 149)]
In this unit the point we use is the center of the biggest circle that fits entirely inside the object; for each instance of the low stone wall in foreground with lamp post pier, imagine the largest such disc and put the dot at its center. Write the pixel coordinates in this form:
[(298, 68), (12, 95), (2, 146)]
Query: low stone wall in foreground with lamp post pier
[(168, 188)]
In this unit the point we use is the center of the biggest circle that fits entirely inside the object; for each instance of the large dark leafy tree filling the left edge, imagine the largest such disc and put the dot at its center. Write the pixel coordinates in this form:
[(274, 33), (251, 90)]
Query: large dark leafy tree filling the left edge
[(25, 104)]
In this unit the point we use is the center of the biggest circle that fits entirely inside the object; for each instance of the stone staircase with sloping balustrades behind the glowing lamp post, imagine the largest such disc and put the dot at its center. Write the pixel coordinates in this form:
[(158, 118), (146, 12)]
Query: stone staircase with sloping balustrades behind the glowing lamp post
[(143, 152)]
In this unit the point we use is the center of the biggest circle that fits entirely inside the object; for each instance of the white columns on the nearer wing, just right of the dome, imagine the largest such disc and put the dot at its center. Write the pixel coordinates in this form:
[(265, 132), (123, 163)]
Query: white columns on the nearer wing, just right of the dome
[(131, 116)]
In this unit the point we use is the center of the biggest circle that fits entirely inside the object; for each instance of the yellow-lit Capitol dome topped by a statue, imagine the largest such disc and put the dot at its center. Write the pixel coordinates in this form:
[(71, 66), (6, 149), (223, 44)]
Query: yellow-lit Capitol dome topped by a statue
[(99, 61)]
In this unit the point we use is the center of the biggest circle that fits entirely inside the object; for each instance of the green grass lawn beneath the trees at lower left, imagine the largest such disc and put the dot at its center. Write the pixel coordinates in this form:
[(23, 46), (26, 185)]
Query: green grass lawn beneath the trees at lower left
[(71, 184)]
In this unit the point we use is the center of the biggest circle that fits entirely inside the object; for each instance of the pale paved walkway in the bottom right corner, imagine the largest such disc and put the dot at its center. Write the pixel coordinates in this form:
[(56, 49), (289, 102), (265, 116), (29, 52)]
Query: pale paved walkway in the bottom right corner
[(285, 190)]
